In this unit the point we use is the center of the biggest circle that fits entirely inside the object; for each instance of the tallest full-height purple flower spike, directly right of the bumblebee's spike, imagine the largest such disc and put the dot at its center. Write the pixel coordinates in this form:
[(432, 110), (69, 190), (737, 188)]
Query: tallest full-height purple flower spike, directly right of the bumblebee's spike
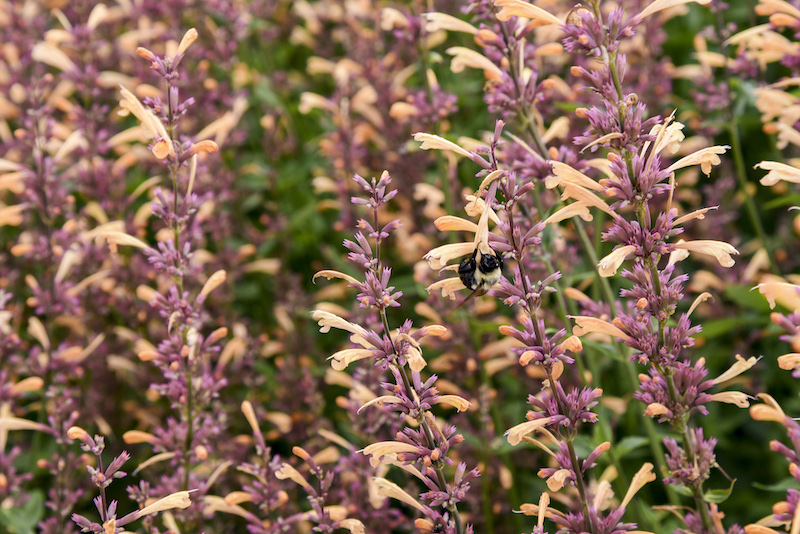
[(644, 227)]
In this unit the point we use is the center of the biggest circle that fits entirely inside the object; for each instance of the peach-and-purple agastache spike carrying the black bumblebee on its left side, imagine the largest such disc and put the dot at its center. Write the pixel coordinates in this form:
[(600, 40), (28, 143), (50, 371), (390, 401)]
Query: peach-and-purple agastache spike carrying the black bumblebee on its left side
[(558, 411)]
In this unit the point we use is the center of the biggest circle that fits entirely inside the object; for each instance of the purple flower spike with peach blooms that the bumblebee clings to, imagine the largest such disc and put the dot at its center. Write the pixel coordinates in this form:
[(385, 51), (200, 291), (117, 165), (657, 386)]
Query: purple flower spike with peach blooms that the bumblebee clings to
[(557, 411)]
